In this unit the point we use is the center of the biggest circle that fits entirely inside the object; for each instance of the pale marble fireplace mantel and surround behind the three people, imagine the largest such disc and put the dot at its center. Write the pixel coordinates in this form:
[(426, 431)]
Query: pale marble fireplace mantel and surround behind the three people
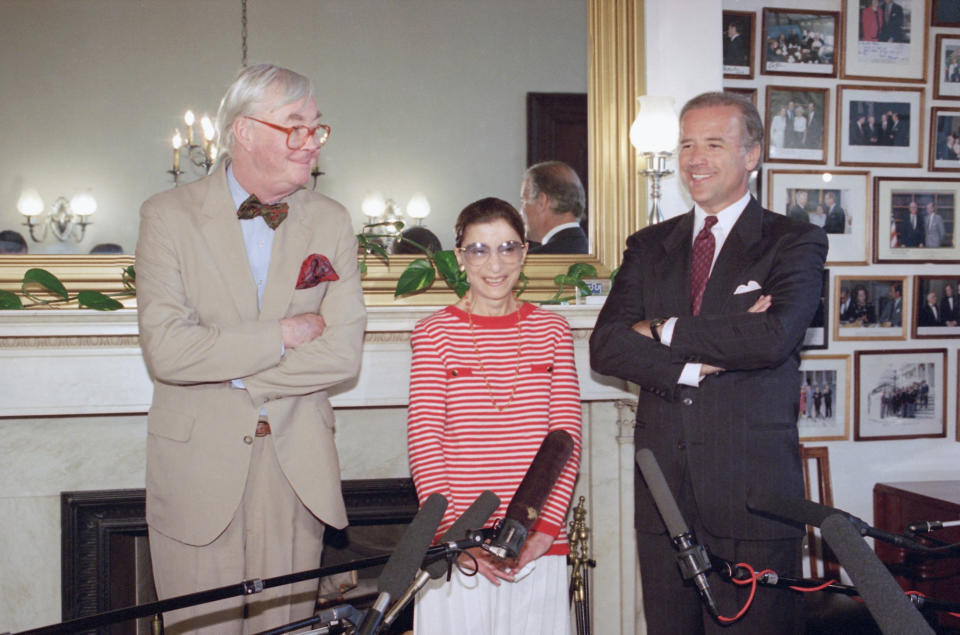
[(73, 403)]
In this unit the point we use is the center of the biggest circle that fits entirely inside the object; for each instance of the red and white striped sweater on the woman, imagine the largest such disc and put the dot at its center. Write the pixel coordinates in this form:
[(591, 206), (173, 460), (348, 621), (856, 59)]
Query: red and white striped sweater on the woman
[(459, 443)]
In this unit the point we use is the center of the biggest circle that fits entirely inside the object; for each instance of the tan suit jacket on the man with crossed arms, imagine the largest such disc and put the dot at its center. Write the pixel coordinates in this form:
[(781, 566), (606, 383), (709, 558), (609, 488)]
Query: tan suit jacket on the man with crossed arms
[(200, 328)]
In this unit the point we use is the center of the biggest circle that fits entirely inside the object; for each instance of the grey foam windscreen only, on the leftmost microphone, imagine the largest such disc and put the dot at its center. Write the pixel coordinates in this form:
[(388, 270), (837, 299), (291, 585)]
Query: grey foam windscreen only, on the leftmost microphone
[(403, 564)]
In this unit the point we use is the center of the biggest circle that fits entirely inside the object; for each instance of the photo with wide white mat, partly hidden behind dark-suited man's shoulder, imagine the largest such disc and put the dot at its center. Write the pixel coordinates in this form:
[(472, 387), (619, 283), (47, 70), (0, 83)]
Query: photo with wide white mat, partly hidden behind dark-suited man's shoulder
[(837, 201)]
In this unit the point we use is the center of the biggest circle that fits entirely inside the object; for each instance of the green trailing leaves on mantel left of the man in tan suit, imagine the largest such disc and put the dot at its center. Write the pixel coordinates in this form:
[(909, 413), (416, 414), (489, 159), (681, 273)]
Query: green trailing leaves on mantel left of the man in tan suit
[(37, 281)]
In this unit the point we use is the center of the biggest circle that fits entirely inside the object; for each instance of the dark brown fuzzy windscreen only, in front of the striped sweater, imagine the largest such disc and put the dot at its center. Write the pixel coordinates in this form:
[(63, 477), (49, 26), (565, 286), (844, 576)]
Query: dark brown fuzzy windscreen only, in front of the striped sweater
[(540, 478)]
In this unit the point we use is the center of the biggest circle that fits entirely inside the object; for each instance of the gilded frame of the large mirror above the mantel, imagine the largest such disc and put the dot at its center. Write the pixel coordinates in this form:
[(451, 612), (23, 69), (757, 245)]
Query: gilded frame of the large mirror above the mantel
[(615, 78)]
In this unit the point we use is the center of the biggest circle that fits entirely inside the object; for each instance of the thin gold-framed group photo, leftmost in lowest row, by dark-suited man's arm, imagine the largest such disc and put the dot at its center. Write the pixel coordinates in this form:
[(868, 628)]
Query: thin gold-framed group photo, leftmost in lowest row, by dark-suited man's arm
[(824, 395)]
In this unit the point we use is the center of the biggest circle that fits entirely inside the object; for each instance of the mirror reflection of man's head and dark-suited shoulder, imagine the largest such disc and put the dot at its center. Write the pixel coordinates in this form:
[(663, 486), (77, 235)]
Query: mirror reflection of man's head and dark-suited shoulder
[(553, 204)]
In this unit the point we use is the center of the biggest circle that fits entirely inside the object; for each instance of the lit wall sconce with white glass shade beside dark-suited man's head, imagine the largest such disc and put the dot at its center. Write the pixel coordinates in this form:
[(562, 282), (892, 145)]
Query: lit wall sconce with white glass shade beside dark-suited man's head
[(654, 134)]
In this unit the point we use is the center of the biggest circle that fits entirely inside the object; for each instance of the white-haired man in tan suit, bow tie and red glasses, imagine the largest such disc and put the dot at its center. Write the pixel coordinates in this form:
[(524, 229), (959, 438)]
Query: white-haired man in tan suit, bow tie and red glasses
[(250, 310)]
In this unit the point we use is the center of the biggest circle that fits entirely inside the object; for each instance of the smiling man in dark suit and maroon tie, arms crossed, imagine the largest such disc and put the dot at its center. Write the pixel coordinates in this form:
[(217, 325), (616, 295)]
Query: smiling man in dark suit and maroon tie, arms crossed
[(717, 364)]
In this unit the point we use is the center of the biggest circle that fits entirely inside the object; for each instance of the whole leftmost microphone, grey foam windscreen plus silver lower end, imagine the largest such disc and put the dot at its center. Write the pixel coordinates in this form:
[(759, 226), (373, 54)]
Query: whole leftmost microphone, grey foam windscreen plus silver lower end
[(405, 560)]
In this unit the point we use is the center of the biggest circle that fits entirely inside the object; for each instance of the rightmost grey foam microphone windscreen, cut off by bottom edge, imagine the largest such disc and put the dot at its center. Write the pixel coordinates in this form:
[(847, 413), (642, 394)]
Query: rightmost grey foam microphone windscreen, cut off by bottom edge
[(889, 607)]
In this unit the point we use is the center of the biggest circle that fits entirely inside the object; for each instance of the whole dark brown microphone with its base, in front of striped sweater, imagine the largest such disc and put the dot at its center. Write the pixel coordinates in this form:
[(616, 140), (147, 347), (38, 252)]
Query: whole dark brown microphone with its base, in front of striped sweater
[(524, 509)]
